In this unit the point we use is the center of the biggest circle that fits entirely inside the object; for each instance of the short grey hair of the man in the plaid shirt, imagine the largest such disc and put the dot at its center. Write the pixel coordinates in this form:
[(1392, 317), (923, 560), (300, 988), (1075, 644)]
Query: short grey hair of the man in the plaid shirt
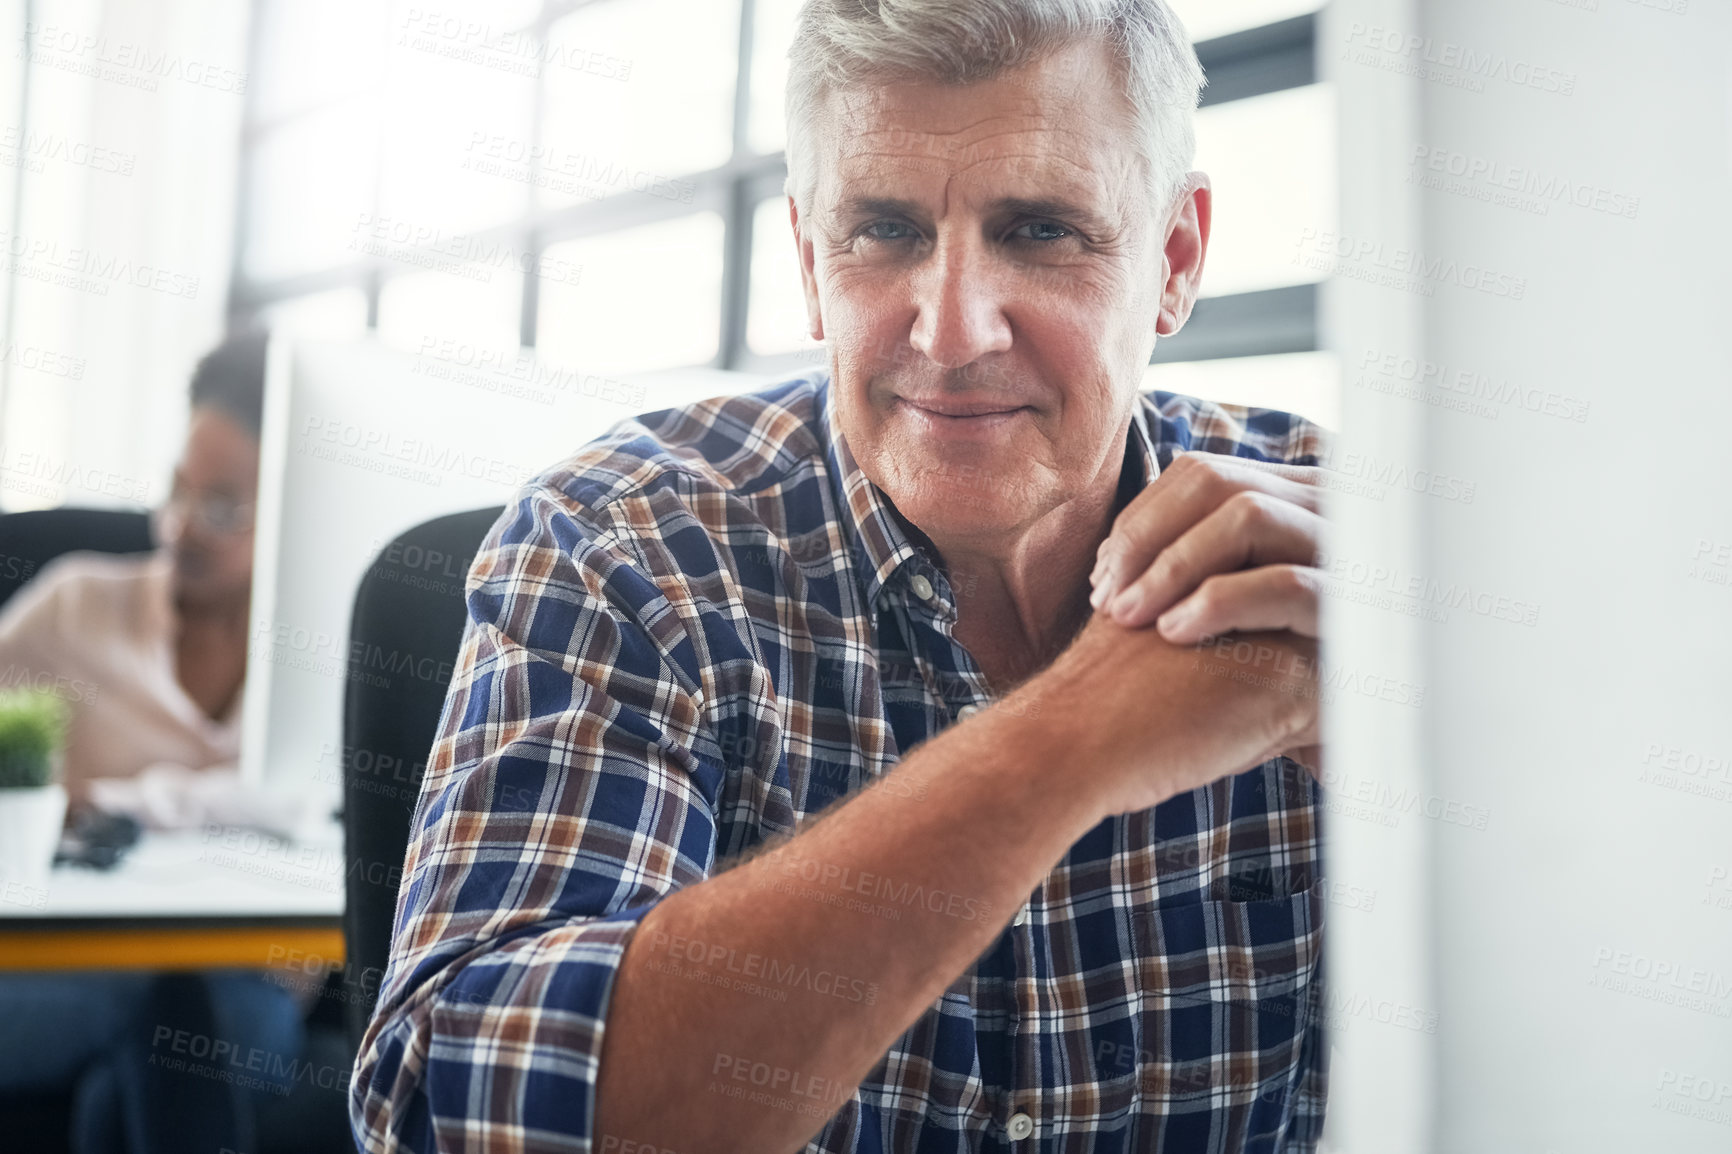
[(843, 44)]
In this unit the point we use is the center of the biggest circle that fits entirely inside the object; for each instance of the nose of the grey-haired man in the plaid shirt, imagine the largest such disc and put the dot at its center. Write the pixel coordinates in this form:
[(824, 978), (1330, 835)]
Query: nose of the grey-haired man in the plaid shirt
[(959, 306)]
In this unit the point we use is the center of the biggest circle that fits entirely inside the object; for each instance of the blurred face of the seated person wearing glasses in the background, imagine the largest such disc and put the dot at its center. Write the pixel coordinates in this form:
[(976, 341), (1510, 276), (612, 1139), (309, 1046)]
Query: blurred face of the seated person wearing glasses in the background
[(210, 524)]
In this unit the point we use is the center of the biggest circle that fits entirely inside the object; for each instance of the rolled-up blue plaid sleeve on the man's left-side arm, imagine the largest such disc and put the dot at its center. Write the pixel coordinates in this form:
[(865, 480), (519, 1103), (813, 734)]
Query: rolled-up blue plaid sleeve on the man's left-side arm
[(571, 789)]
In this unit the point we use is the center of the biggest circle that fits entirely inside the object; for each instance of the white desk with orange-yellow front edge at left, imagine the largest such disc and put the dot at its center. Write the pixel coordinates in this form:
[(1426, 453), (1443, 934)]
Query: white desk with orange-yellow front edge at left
[(195, 900)]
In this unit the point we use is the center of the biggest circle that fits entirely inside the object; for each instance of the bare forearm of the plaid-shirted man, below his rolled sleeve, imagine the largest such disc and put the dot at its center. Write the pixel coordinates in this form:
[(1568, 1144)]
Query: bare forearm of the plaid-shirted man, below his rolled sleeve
[(747, 1009)]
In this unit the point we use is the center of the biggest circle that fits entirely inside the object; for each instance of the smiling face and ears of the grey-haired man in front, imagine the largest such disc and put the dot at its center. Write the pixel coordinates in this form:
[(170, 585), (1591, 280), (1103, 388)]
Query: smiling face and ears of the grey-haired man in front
[(988, 271)]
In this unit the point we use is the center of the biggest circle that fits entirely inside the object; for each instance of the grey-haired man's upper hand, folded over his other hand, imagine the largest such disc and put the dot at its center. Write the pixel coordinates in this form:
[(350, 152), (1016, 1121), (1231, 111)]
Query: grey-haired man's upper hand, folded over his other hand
[(1218, 545)]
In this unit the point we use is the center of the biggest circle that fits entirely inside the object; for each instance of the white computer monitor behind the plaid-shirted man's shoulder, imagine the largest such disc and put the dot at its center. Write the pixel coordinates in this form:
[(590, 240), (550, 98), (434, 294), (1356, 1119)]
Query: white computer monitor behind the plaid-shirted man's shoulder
[(363, 443)]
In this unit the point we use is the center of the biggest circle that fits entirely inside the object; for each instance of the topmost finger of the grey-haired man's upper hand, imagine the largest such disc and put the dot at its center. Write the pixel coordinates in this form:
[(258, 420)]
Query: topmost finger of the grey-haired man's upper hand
[(1187, 491)]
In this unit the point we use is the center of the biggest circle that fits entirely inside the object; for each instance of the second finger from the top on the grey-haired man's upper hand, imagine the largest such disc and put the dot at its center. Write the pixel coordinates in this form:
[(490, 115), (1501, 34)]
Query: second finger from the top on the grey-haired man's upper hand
[(1250, 529)]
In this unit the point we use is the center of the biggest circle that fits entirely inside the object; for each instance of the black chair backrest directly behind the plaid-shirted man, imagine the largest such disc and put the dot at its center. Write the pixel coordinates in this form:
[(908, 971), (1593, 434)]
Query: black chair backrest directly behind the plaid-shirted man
[(404, 640)]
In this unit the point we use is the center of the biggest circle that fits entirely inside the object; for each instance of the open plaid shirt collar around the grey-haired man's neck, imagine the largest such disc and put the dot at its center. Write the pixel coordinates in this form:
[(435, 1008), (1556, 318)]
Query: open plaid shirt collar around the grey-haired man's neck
[(874, 529)]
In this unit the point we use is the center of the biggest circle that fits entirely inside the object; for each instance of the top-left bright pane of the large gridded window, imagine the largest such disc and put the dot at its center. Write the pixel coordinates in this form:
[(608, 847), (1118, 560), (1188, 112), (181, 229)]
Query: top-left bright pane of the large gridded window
[(316, 51)]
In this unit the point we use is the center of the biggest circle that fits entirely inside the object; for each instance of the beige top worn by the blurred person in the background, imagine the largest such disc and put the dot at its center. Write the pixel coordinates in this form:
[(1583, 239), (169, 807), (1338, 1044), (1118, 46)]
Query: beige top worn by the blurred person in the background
[(100, 632)]
